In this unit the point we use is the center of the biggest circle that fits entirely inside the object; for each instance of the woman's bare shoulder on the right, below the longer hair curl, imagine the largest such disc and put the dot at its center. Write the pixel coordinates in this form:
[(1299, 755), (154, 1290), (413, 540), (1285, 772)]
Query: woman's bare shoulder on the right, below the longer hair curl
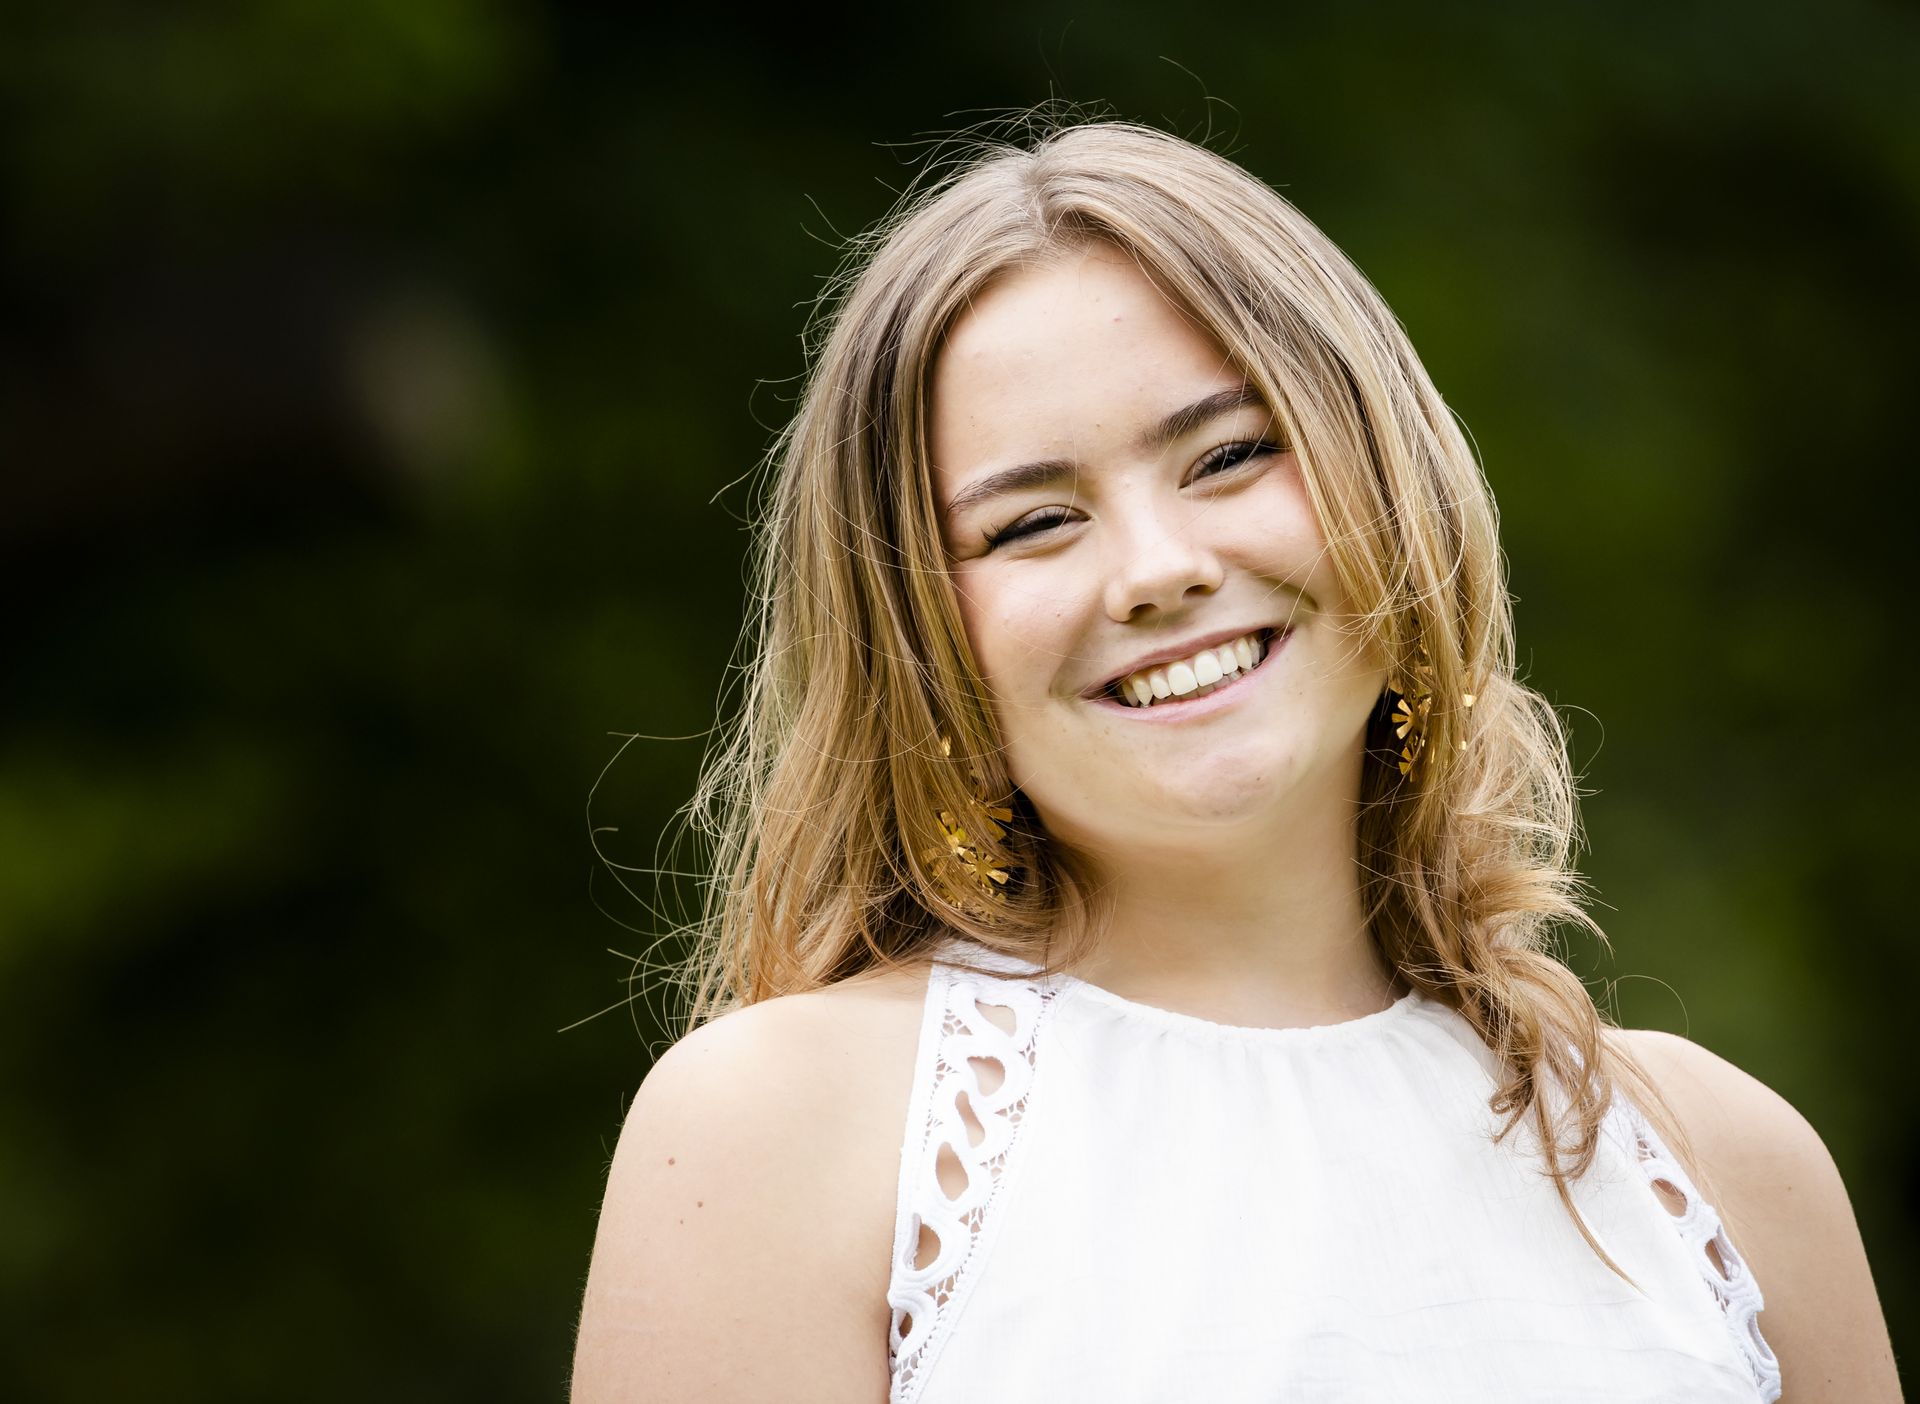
[(1787, 1209)]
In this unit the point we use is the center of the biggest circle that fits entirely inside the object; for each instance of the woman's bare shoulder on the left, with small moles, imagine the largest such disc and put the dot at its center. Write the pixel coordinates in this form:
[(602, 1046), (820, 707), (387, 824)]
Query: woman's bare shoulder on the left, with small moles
[(746, 1238)]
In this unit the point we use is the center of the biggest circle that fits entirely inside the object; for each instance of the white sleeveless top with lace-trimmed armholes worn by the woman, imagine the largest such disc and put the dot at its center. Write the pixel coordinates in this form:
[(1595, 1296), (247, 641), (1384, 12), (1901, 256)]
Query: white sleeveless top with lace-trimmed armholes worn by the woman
[(1168, 1209)]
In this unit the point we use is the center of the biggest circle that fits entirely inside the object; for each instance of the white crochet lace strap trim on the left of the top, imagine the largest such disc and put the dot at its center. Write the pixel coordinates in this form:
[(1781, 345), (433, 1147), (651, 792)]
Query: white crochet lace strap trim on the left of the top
[(971, 1113)]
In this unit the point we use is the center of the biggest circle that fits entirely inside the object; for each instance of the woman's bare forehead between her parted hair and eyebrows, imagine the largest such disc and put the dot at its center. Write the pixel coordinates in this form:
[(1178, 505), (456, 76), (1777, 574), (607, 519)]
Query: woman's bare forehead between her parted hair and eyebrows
[(1065, 354)]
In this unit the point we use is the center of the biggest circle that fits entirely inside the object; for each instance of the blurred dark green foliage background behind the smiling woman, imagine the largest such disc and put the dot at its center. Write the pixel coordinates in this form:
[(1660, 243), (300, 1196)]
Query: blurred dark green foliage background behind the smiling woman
[(381, 385)]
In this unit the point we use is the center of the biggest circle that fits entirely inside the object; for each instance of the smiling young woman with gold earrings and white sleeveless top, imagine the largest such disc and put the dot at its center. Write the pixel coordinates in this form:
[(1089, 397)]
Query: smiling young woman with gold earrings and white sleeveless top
[(1128, 973)]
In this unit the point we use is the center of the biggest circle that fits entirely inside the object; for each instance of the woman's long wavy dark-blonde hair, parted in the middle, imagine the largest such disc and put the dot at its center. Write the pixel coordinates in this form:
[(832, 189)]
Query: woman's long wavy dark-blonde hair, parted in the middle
[(823, 792)]
